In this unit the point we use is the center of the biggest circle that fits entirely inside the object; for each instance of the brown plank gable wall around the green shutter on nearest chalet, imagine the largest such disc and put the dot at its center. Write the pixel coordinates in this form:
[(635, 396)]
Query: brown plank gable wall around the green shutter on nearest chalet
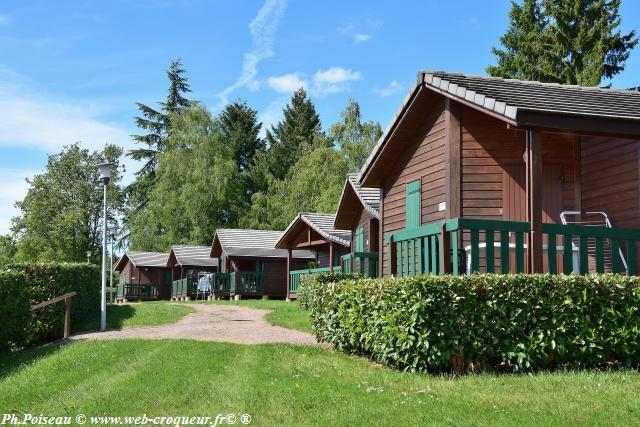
[(423, 160)]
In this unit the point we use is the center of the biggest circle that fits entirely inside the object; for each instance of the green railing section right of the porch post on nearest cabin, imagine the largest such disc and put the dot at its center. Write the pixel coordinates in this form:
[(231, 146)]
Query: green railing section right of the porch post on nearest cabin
[(608, 249)]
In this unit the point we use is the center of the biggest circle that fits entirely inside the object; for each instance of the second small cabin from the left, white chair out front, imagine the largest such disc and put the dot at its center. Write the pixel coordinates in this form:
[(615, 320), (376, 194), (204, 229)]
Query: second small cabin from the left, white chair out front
[(188, 264)]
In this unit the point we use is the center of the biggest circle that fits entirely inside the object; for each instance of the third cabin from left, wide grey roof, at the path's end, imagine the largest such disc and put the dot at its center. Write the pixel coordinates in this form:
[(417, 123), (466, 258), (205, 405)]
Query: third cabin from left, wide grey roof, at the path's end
[(251, 266)]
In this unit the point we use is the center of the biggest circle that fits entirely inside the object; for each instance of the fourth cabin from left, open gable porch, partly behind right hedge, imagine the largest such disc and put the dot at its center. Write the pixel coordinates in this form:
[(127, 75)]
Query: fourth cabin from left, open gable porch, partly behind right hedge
[(313, 232)]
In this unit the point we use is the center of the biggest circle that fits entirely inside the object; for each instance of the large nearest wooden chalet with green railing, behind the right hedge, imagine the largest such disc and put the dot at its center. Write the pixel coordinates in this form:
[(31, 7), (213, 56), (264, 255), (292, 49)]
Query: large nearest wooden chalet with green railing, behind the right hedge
[(496, 175)]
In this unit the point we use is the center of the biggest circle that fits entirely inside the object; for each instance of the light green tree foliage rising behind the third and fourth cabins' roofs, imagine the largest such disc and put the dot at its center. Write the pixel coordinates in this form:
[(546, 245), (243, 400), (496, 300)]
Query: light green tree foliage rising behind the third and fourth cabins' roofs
[(313, 184)]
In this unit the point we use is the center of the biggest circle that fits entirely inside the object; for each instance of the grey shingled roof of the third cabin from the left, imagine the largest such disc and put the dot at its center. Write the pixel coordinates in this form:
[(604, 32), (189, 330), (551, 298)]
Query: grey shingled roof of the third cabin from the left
[(254, 243)]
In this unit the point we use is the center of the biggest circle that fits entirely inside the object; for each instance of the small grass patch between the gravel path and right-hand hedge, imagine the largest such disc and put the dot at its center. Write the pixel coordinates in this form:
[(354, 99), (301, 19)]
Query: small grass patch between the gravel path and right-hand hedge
[(287, 314)]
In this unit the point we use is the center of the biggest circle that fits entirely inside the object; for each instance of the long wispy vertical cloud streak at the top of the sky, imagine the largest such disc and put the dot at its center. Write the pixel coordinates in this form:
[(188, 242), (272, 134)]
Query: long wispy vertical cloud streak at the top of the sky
[(262, 29)]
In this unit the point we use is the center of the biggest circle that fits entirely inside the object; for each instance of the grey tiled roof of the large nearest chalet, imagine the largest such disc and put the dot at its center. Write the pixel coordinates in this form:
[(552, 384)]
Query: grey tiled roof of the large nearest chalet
[(523, 104)]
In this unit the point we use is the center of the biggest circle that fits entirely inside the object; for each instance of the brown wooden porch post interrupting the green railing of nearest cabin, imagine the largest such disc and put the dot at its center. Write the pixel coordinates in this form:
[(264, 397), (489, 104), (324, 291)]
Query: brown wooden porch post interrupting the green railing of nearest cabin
[(534, 200)]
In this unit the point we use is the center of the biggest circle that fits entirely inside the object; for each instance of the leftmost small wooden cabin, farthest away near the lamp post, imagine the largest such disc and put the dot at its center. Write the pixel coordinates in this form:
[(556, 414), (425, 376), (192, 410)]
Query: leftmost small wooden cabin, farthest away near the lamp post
[(143, 276)]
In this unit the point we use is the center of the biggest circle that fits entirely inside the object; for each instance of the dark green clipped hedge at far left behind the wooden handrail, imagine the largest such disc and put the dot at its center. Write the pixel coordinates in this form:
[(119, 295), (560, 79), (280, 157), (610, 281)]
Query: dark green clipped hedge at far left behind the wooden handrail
[(45, 281)]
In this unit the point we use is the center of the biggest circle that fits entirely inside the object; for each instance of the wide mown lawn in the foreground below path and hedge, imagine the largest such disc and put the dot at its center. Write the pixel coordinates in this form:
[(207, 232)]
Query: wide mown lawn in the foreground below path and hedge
[(288, 385)]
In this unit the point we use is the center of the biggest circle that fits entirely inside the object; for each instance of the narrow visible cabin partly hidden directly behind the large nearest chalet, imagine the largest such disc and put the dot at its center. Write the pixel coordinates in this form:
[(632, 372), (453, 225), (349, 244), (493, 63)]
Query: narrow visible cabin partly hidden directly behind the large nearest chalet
[(358, 211)]
